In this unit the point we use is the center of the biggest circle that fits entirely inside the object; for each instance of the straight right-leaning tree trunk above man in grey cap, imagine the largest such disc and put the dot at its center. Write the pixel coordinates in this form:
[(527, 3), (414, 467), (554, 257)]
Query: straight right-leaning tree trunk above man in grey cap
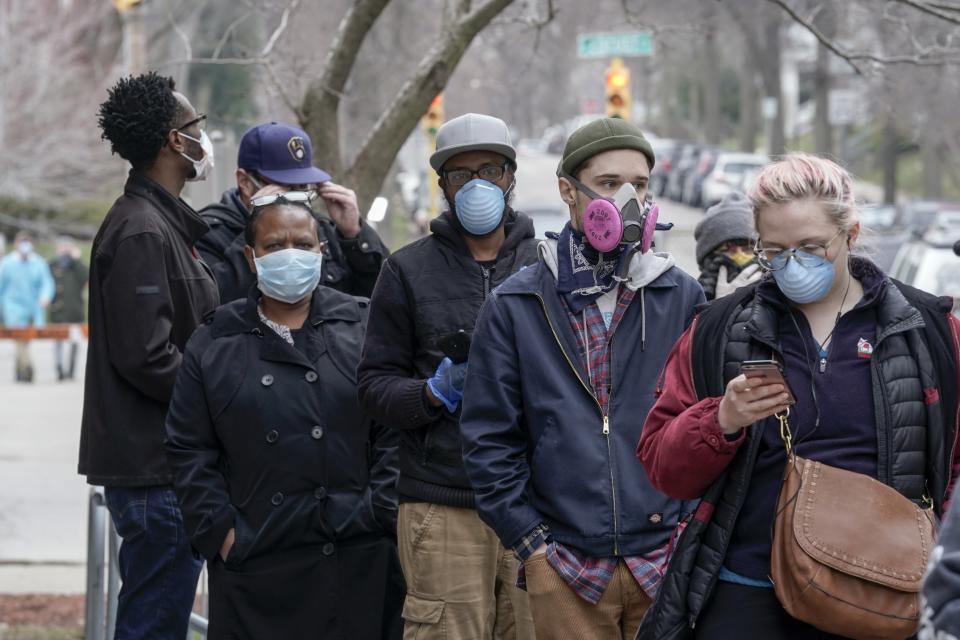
[(381, 146)]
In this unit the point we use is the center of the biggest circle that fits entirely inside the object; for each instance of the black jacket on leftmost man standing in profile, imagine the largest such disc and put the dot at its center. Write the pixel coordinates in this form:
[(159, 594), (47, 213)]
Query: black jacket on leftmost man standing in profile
[(148, 291)]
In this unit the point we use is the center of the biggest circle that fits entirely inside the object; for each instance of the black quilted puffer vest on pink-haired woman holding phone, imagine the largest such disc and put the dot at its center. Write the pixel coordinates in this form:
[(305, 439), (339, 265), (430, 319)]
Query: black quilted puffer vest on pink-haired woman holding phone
[(913, 352)]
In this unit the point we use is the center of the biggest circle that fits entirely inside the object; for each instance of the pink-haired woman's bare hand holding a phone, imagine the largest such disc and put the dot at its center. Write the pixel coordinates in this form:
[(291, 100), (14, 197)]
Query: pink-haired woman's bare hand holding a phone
[(759, 392)]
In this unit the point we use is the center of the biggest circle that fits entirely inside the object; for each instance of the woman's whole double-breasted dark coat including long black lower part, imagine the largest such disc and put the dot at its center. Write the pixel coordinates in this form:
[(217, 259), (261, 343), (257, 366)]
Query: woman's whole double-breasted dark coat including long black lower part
[(270, 440)]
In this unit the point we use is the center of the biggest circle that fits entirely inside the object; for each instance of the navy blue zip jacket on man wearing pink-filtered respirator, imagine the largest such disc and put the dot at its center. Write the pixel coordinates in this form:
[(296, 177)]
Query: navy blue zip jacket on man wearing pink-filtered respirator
[(533, 433)]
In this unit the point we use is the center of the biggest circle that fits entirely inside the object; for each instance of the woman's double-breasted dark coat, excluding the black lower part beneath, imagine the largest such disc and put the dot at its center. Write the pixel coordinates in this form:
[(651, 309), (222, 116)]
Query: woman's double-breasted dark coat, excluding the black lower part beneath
[(271, 440)]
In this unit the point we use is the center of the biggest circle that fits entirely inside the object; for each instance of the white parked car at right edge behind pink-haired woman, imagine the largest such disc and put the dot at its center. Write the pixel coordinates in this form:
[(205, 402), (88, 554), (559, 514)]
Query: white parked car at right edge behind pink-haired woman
[(929, 263)]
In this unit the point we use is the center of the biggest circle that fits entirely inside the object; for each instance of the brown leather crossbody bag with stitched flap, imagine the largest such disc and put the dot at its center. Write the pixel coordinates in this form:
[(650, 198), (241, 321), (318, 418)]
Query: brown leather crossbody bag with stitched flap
[(849, 552)]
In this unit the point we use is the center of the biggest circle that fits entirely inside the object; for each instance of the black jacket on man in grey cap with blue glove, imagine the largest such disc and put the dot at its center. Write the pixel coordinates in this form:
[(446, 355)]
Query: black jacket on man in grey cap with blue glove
[(429, 289)]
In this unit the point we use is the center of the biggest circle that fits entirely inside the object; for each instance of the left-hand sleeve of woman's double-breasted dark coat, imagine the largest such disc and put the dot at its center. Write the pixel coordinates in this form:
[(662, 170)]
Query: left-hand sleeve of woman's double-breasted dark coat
[(193, 452)]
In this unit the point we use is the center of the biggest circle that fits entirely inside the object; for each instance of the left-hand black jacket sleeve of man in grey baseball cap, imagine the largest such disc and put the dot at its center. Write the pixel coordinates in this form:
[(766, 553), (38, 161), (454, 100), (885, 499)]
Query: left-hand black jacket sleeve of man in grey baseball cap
[(388, 387)]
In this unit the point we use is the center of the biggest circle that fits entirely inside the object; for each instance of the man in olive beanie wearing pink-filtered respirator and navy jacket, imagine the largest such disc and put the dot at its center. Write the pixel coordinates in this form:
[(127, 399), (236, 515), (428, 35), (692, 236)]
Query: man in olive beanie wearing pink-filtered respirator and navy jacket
[(564, 366)]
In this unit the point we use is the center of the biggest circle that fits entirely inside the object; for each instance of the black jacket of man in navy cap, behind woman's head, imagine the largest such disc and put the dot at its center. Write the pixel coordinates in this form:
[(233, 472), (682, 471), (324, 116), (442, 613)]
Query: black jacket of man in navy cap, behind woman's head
[(349, 265)]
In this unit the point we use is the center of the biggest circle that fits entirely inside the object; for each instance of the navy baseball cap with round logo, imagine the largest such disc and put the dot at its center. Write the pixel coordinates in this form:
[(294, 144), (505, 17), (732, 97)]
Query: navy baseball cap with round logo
[(281, 153)]
